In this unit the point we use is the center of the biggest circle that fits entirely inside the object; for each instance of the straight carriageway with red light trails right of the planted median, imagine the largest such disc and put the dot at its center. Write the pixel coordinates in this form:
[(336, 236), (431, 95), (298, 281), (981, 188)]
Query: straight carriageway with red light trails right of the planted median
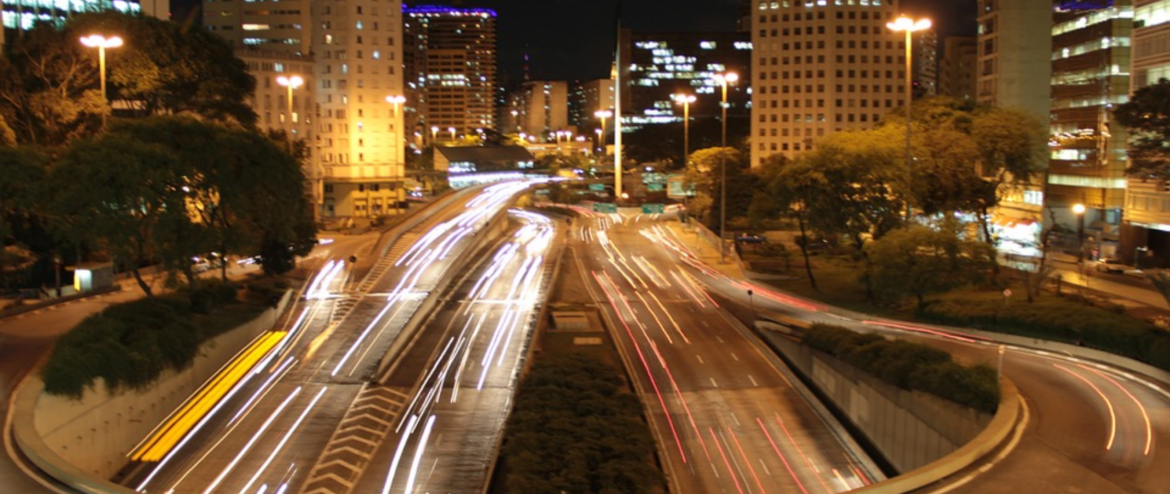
[(727, 418)]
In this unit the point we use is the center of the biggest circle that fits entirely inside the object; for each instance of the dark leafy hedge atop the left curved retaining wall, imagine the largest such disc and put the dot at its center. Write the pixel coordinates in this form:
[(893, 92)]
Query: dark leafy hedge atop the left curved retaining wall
[(130, 345)]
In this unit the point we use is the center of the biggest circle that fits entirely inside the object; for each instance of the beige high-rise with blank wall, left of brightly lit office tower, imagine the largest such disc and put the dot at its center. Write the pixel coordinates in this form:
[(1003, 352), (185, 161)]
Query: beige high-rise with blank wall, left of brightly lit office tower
[(1015, 54)]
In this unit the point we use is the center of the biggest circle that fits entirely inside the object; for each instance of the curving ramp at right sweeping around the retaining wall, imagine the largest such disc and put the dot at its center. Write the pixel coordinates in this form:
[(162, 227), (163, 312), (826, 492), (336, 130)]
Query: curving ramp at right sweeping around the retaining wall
[(1090, 428)]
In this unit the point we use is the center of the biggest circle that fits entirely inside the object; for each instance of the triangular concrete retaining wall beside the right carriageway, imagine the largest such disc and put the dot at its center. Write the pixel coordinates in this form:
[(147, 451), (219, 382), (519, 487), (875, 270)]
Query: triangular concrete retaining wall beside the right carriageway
[(911, 429)]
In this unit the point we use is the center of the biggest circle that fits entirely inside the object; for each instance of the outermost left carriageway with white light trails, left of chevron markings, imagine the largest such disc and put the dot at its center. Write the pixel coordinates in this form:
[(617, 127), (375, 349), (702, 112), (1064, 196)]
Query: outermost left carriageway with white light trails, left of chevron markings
[(271, 431)]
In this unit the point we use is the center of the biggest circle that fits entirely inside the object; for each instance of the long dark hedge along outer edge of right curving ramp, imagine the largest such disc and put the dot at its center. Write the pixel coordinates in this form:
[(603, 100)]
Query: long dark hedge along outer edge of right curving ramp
[(1052, 319)]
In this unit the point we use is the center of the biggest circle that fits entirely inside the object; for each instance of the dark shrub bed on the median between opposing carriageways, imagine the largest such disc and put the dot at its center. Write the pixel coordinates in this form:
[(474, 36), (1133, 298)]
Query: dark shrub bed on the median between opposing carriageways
[(576, 430)]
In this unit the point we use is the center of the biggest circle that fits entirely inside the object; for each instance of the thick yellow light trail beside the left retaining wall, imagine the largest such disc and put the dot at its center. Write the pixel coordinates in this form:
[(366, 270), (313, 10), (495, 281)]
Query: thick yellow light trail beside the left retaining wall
[(166, 437)]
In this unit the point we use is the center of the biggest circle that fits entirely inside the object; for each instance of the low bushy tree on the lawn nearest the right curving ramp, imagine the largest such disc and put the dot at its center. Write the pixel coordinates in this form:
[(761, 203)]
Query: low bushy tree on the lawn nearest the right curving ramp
[(921, 260)]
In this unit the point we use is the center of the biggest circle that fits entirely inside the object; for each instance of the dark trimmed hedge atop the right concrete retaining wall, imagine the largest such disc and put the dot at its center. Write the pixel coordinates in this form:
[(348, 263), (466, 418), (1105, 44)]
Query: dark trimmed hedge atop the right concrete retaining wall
[(910, 366)]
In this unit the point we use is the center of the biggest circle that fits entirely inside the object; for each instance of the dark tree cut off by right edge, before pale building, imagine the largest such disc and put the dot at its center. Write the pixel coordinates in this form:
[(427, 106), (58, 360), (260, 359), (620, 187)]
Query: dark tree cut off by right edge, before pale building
[(1147, 115)]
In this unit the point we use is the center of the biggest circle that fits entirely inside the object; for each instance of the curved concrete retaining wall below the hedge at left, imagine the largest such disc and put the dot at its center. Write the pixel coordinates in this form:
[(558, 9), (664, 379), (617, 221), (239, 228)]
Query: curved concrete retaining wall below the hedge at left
[(72, 440)]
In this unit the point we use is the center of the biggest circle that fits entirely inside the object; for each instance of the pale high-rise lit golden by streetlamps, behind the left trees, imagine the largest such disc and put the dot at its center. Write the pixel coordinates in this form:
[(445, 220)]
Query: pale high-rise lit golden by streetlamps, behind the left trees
[(357, 138)]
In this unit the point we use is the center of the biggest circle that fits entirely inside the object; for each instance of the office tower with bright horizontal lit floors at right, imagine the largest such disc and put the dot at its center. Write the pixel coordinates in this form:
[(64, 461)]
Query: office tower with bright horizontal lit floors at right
[(1091, 65)]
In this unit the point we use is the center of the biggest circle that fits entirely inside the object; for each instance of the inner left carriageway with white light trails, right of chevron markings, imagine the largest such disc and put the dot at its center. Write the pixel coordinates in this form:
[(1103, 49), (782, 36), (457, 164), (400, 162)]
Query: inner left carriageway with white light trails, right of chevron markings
[(464, 372)]
